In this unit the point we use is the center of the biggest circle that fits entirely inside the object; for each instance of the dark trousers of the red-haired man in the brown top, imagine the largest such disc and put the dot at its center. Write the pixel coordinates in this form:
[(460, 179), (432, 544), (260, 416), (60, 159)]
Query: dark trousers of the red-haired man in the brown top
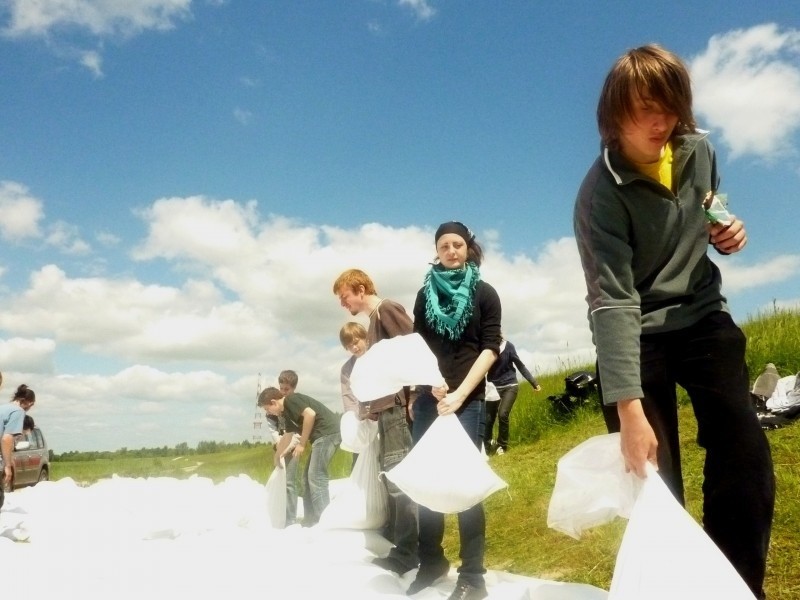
[(401, 526)]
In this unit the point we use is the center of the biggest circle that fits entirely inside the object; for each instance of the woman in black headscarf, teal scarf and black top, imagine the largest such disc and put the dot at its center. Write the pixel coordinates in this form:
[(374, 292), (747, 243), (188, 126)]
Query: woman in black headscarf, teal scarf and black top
[(458, 315)]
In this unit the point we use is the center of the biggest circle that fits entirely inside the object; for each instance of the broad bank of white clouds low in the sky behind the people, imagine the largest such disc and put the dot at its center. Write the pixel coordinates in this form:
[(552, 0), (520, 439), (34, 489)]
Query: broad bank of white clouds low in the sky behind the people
[(242, 296)]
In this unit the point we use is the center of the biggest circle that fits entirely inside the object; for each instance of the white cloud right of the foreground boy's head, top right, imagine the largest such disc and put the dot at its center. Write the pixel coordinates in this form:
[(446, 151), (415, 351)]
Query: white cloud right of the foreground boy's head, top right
[(746, 87)]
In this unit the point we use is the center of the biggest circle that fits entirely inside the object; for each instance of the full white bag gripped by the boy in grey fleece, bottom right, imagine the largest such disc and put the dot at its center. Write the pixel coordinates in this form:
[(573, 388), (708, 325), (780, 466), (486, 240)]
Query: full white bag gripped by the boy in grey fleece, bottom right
[(666, 555)]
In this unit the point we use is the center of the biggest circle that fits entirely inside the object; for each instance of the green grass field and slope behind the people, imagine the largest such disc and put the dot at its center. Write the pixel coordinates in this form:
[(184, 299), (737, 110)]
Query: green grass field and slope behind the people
[(518, 539)]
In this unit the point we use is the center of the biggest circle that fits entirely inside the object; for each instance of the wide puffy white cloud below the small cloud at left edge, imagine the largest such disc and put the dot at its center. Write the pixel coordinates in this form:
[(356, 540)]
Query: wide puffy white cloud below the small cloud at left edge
[(136, 321)]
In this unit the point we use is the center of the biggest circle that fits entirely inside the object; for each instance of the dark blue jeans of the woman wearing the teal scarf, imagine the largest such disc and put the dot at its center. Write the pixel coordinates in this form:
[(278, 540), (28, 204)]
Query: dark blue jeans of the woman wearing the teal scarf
[(471, 522)]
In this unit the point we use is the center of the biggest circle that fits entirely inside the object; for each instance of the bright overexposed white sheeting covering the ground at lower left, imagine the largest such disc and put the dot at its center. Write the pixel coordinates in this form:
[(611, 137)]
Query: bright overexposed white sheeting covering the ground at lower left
[(161, 538)]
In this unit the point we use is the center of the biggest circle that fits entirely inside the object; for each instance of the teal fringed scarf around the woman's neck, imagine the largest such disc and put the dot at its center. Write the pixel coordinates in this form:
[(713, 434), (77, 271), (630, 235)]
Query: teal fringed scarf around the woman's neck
[(449, 296)]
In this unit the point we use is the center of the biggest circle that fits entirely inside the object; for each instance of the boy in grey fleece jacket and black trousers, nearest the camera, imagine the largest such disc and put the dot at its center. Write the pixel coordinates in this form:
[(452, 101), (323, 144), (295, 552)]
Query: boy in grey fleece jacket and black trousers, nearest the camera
[(656, 309)]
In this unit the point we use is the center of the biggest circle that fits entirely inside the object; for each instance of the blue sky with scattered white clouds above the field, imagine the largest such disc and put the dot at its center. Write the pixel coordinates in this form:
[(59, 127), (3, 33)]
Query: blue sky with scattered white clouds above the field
[(181, 182)]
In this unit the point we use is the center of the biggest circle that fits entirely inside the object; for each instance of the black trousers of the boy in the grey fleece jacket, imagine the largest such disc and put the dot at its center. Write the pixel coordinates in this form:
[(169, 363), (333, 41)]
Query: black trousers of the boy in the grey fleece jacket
[(707, 360)]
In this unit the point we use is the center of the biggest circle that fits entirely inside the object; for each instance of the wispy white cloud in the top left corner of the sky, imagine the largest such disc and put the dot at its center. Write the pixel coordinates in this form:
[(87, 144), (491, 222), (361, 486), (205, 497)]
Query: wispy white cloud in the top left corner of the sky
[(97, 17)]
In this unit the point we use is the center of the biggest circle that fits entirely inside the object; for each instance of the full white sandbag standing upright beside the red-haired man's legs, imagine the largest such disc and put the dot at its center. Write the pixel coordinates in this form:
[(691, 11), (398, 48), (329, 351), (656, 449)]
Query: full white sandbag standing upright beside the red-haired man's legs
[(362, 502)]
